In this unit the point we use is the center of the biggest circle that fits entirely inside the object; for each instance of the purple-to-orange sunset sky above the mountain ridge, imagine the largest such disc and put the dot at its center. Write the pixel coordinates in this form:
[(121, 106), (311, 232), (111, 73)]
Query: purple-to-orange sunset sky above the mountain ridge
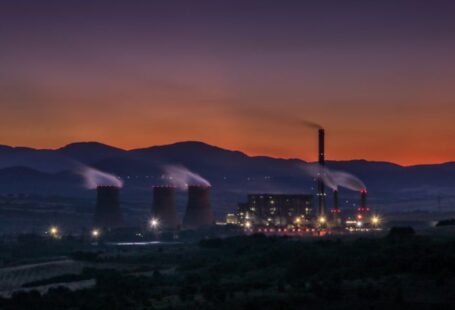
[(379, 77)]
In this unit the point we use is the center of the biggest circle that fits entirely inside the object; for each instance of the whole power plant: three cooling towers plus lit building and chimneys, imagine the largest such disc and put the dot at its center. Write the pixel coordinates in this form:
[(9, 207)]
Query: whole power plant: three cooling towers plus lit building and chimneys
[(263, 212)]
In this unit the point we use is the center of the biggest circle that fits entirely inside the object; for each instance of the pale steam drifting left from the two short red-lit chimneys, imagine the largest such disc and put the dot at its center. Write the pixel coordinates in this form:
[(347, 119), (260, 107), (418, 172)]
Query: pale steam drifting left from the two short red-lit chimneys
[(333, 178)]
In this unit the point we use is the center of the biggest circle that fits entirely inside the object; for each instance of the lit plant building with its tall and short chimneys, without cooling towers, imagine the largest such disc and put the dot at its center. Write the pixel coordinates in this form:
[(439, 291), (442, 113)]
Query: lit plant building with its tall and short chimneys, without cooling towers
[(294, 213)]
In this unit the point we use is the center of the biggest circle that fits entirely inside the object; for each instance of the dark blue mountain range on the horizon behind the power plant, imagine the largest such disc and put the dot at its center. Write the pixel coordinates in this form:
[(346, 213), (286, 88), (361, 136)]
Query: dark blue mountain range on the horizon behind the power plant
[(232, 173)]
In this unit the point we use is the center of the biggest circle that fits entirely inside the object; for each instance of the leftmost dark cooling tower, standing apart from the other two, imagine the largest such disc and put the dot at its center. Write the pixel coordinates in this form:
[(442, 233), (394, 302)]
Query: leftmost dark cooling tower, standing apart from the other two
[(108, 214)]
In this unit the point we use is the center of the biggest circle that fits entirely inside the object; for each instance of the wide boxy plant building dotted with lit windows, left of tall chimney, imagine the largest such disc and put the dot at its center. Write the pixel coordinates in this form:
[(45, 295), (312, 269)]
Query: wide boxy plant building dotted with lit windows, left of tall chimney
[(275, 210)]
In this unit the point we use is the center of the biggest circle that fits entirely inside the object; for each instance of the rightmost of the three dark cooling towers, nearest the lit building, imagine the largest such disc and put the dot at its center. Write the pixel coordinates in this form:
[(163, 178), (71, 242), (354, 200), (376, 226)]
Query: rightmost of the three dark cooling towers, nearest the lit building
[(198, 212)]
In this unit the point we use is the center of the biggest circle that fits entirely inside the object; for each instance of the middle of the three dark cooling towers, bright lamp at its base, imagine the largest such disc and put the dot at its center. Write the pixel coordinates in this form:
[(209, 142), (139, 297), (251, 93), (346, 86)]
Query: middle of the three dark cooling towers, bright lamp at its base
[(163, 208)]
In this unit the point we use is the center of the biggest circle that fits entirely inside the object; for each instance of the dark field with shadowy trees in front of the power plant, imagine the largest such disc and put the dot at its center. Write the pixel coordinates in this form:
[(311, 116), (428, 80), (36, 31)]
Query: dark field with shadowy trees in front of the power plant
[(395, 272)]
